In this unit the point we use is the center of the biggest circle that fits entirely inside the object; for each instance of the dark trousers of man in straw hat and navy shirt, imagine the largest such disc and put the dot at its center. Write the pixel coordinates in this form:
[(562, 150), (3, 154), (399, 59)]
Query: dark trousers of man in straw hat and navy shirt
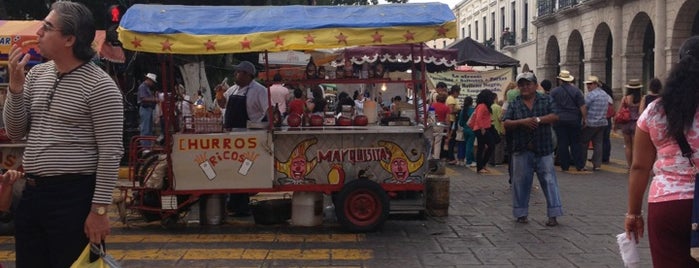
[(568, 135)]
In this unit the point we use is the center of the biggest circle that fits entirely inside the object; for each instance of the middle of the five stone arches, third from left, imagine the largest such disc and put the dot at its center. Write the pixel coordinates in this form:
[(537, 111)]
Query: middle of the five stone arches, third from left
[(601, 53)]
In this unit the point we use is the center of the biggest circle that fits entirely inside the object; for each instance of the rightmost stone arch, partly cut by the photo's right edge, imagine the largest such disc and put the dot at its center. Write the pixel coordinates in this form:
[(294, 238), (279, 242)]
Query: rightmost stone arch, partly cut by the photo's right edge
[(686, 24)]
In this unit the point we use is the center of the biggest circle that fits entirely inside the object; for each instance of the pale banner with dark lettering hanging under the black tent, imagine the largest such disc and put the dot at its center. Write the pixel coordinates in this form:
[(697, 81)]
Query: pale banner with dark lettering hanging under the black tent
[(472, 83)]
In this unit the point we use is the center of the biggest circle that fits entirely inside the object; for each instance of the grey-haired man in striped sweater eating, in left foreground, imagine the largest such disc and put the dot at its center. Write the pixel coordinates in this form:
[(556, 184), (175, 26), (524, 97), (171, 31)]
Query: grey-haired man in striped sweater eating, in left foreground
[(72, 114)]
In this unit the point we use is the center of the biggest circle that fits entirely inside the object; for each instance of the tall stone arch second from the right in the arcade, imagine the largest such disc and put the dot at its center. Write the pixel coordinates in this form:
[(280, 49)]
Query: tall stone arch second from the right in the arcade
[(639, 48)]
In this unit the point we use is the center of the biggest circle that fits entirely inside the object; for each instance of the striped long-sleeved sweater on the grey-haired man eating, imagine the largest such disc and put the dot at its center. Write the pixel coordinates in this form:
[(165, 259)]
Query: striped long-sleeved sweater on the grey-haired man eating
[(73, 124)]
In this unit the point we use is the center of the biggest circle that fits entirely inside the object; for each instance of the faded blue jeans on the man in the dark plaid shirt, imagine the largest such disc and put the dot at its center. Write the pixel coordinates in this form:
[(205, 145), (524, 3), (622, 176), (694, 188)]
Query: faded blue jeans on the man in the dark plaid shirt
[(524, 164)]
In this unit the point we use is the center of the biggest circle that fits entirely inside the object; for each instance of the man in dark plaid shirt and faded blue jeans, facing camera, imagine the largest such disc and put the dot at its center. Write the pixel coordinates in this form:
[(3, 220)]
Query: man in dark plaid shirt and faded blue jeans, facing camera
[(529, 119)]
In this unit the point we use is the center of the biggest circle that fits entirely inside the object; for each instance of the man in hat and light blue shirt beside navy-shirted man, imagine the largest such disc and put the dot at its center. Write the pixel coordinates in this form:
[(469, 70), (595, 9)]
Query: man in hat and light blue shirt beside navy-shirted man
[(596, 103)]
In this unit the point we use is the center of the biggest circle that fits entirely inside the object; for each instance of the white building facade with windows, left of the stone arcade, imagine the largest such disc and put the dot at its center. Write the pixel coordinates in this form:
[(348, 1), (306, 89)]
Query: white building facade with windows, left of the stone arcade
[(506, 25)]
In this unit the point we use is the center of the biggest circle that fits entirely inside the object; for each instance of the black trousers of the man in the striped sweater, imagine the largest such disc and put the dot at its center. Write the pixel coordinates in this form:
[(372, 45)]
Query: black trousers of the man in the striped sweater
[(50, 220)]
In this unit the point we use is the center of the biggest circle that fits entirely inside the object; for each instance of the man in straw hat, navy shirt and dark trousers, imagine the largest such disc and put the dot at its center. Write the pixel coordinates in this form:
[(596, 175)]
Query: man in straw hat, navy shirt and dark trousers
[(569, 105)]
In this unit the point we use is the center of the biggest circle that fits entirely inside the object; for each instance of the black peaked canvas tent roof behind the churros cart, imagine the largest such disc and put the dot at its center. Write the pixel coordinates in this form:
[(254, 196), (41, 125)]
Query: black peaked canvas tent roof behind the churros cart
[(474, 53)]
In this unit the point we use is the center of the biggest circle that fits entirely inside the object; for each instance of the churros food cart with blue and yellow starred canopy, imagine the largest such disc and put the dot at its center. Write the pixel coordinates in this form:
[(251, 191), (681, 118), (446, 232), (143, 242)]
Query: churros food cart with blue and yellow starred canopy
[(366, 169)]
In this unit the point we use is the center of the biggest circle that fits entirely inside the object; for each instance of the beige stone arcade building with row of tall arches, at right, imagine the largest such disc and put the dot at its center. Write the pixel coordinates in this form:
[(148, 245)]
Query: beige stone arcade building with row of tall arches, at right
[(616, 40)]
